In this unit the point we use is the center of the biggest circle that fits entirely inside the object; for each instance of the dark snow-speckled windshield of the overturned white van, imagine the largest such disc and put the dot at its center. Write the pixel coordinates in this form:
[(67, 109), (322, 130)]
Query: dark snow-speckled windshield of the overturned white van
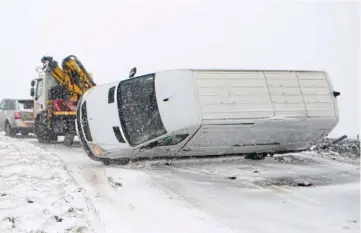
[(138, 110)]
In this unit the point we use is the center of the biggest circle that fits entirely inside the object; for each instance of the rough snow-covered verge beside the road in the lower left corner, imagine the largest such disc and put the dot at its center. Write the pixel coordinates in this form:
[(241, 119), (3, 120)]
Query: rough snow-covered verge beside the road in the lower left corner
[(36, 192)]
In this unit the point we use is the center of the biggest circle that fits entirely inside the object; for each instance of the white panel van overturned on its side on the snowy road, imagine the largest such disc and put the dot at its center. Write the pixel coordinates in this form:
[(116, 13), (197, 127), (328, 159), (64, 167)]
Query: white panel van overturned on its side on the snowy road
[(206, 112)]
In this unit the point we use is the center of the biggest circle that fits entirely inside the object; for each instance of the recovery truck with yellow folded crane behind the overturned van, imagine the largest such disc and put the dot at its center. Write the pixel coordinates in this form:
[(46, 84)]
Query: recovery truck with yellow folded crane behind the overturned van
[(56, 92)]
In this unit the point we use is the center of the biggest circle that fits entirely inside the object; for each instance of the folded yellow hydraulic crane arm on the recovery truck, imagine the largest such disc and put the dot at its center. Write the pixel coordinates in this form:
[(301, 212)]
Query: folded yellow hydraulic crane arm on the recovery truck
[(73, 76)]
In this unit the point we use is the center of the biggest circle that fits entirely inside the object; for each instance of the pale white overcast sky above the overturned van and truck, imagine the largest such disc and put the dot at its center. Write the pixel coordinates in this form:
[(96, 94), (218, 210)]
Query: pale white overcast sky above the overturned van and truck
[(111, 37)]
